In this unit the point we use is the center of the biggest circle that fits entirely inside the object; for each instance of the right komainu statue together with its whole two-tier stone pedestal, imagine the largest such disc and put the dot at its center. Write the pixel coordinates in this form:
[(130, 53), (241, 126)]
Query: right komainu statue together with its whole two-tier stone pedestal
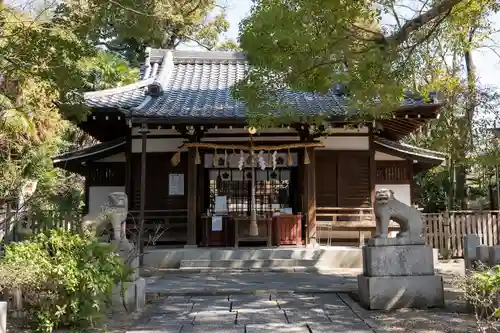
[(398, 272)]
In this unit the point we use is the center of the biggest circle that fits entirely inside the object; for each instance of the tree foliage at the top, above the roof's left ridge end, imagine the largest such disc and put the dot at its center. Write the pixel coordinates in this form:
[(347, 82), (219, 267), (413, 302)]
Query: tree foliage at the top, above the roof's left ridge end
[(127, 27)]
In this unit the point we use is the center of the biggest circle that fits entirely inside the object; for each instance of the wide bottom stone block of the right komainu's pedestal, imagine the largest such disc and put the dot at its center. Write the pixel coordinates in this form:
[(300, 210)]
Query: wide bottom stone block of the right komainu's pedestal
[(396, 292)]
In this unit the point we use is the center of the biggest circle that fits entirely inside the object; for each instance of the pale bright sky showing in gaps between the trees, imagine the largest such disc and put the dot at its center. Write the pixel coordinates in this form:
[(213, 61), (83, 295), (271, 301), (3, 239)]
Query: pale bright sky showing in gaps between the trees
[(487, 62)]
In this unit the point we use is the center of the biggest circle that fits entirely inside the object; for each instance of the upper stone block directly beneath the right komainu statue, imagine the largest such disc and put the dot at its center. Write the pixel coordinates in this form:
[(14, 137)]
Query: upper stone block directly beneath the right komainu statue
[(397, 260)]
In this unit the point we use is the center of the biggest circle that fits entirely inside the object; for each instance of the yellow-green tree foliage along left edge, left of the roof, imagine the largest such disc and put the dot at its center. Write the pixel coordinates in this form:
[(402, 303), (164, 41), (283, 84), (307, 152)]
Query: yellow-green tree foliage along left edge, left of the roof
[(43, 60)]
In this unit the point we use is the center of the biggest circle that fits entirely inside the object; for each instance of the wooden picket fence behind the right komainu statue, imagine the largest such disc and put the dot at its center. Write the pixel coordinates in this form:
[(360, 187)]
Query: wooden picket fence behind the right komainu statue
[(445, 231)]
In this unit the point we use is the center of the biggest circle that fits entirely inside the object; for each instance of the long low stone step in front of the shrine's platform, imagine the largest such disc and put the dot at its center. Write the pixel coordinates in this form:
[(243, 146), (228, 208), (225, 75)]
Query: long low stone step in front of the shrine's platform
[(248, 264)]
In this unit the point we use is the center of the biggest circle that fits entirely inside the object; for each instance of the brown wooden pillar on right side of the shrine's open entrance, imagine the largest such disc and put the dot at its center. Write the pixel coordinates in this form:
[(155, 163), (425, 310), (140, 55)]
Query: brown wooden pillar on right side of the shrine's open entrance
[(310, 197)]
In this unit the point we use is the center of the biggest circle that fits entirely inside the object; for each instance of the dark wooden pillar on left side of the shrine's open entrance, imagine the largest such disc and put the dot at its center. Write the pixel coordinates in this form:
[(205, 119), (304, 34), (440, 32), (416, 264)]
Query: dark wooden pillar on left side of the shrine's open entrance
[(192, 175)]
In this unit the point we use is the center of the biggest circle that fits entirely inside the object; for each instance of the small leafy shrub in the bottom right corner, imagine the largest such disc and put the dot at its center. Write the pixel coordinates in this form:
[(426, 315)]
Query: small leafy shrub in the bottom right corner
[(481, 289)]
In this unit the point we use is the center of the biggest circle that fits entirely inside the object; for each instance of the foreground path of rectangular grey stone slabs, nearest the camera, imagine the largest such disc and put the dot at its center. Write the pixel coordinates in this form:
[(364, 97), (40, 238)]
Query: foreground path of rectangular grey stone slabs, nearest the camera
[(277, 313)]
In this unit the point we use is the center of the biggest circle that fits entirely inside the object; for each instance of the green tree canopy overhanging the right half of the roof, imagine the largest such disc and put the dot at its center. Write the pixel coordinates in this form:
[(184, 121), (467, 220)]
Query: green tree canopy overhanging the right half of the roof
[(309, 45)]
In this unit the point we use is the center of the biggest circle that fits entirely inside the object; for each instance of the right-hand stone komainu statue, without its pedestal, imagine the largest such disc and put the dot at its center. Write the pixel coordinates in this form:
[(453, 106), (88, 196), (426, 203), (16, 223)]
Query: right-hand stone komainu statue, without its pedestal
[(388, 208)]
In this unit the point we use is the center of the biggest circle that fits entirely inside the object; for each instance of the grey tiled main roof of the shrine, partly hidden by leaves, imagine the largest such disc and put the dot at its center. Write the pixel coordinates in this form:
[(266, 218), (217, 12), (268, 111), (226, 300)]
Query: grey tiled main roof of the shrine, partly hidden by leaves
[(198, 85)]
